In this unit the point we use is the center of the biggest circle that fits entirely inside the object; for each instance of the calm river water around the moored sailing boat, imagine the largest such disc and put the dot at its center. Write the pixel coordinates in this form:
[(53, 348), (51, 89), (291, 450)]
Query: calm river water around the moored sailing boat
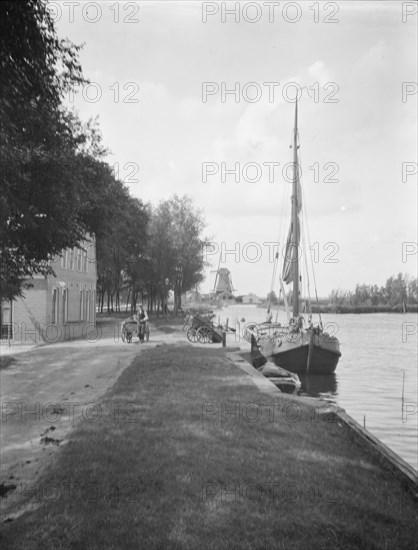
[(369, 376)]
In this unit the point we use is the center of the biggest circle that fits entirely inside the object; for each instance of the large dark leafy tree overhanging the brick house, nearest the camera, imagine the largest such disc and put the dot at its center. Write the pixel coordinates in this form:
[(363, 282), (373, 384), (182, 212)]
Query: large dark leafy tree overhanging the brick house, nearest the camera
[(46, 201)]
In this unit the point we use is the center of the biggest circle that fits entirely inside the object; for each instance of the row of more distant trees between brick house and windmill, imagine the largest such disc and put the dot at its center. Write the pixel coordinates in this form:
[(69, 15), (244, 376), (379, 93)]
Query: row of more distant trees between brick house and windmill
[(151, 252)]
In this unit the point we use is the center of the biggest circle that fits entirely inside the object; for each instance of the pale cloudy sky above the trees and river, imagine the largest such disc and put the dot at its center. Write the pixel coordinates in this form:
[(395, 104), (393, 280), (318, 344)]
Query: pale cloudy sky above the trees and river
[(159, 69)]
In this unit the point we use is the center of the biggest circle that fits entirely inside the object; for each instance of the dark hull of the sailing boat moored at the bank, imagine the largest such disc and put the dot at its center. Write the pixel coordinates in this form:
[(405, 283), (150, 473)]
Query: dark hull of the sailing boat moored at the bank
[(309, 353)]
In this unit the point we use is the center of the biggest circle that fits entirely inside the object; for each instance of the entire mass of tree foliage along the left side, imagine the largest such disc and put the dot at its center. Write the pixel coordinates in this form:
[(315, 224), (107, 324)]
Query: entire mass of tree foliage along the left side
[(56, 188)]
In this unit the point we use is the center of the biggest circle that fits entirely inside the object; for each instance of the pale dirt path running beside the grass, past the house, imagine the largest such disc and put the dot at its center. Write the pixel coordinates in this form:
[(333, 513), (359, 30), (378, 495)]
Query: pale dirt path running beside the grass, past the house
[(45, 392)]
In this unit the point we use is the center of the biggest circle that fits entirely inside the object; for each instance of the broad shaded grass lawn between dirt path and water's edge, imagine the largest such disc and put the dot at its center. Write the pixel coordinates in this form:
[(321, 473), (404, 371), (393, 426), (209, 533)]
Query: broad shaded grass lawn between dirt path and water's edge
[(185, 452)]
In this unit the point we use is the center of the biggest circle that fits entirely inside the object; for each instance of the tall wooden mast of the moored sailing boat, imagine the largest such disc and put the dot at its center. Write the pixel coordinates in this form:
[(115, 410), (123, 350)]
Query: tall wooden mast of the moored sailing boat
[(295, 216)]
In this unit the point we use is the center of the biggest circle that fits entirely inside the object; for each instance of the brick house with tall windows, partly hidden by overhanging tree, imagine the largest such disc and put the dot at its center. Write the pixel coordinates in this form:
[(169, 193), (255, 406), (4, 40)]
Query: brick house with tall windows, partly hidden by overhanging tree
[(56, 308)]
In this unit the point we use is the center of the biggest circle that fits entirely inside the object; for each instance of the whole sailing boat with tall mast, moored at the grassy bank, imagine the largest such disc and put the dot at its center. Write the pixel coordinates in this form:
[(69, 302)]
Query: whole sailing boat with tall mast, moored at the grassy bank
[(298, 346)]
